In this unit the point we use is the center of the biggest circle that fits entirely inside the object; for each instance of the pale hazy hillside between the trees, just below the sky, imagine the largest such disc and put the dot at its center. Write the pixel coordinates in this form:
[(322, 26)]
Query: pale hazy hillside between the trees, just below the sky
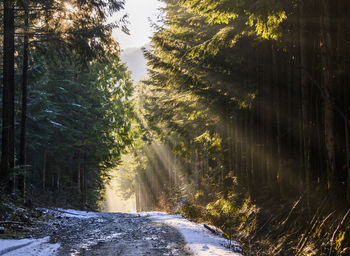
[(136, 62)]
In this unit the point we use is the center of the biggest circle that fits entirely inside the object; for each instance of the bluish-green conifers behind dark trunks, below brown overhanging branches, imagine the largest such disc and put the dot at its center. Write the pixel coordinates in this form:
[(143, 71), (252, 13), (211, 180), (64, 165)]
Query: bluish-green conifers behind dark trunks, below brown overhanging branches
[(78, 115)]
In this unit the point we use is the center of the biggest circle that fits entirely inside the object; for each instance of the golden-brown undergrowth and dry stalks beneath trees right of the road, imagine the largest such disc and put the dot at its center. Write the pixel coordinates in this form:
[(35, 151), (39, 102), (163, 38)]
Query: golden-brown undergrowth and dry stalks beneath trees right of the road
[(272, 226)]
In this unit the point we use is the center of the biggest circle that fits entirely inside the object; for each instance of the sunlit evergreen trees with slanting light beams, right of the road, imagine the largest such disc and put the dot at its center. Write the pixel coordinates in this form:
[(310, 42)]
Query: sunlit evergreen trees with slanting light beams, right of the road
[(233, 112)]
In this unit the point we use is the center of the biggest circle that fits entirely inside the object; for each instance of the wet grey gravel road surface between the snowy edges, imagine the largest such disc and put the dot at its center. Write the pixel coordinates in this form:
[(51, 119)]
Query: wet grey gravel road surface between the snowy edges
[(114, 234)]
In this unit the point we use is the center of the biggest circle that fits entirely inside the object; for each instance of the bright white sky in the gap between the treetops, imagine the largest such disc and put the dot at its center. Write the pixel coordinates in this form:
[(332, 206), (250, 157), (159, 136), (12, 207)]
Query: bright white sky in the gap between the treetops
[(139, 11)]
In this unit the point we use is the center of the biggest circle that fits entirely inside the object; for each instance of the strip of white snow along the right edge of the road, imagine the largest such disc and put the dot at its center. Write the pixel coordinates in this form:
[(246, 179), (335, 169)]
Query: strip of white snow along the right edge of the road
[(200, 241)]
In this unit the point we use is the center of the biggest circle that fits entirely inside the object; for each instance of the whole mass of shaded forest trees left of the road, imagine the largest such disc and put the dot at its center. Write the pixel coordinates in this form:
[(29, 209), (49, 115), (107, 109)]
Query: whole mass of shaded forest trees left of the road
[(79, 108)]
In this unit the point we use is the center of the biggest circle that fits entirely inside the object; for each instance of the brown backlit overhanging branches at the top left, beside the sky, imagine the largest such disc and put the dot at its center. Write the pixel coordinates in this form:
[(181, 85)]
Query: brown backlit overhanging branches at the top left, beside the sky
[(77, 25)]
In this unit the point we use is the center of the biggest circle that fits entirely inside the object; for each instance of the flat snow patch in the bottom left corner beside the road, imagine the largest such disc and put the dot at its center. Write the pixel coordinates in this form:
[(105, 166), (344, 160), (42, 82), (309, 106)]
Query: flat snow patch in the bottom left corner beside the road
[(28, 247)]
